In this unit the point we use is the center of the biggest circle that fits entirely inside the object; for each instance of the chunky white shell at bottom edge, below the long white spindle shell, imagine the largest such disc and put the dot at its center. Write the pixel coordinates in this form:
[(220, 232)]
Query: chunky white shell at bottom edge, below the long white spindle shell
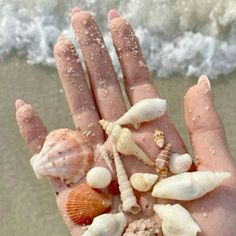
[(176, 220)]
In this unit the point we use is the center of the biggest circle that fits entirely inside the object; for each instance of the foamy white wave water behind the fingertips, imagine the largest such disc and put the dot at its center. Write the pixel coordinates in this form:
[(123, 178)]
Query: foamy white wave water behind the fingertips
[(177, 36)]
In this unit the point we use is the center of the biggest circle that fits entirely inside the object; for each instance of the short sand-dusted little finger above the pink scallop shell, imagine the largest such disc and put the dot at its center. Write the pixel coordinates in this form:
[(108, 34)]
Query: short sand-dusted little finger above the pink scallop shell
[(29, 120)]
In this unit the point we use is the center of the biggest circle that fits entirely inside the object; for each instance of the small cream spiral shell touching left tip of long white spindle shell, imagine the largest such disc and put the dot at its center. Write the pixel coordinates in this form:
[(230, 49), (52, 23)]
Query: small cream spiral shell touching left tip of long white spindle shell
[(142, 181)]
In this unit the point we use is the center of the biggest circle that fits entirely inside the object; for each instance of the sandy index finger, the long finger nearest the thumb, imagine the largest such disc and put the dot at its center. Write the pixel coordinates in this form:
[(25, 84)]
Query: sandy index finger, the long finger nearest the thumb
[(137, 80)]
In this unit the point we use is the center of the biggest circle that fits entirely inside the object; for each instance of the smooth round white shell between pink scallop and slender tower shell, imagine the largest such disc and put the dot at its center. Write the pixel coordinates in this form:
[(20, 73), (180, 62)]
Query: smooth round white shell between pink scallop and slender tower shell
[(98, 177)]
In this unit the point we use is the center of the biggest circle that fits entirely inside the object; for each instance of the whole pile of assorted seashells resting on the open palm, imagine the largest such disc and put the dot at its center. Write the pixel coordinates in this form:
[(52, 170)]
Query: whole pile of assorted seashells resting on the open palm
[(65, 155)]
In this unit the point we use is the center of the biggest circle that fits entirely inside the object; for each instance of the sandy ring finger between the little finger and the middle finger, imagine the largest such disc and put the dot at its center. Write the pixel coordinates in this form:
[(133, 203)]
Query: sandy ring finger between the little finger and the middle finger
[(82, 107)]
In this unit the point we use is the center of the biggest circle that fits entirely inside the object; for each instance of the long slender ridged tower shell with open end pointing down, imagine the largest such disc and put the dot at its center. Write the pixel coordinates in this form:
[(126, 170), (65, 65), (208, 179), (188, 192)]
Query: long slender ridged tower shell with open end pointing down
[(129, 202)]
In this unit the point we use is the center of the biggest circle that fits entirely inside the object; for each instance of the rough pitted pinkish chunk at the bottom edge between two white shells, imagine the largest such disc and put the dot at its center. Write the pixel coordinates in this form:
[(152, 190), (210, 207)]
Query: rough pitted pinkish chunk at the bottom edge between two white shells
[(142, 227)]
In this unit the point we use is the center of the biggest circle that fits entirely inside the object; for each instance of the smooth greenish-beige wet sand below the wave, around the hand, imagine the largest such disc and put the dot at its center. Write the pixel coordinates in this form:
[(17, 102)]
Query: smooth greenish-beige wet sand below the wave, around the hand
[(27, 205)]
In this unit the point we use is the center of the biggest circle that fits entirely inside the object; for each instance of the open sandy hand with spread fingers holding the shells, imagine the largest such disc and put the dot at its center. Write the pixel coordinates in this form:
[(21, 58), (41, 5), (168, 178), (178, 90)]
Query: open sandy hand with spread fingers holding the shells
[(215, 212)]
